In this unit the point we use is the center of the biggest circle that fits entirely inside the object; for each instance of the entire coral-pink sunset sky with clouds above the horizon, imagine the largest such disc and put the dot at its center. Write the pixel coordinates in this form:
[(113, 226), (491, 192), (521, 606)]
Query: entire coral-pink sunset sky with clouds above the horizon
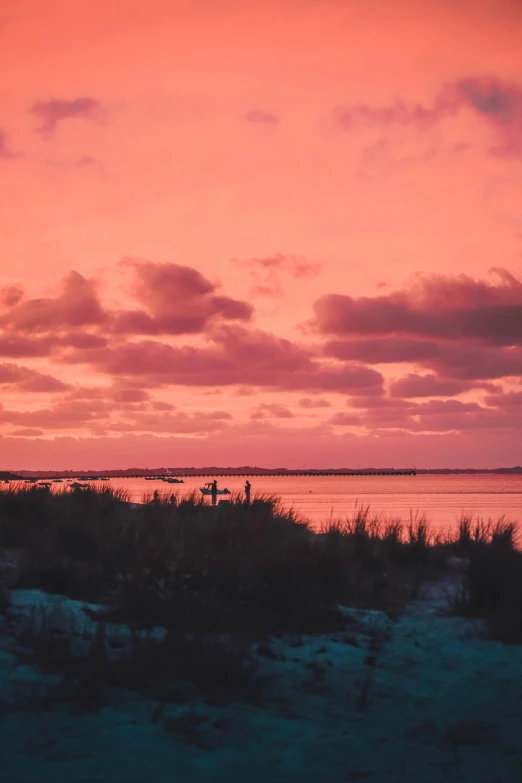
[(275, 232)]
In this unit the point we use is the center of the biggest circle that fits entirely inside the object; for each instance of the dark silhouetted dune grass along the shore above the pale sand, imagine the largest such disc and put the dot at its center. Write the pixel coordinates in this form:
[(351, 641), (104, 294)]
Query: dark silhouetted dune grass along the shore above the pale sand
[(241, 568)]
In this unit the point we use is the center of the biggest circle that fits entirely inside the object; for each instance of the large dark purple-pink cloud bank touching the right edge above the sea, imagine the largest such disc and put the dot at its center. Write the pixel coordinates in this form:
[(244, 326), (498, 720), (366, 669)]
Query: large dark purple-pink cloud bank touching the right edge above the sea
[(456, 327)]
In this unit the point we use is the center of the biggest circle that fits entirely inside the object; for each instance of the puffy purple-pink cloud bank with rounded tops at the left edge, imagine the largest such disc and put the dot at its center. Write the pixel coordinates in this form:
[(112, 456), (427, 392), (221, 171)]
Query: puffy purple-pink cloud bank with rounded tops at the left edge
[(175, 300)]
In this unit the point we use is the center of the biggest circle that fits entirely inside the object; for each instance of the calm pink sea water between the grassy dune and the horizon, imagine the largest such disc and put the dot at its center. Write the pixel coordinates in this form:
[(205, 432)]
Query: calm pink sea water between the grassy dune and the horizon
[(317, 499)]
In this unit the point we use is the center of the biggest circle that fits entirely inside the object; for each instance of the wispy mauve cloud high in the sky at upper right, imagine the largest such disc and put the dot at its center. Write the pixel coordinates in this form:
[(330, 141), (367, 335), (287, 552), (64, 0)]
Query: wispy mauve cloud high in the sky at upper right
[(497, 102)]
